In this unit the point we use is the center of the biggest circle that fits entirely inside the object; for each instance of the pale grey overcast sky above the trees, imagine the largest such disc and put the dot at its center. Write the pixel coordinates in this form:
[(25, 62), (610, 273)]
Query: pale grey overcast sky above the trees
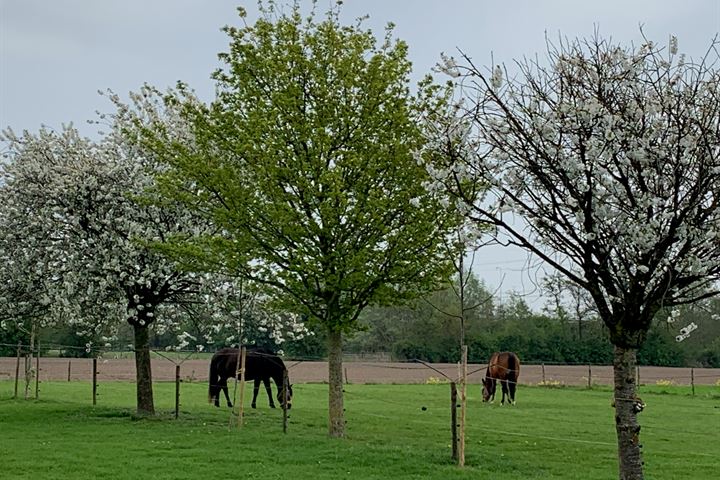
[(56, 54)]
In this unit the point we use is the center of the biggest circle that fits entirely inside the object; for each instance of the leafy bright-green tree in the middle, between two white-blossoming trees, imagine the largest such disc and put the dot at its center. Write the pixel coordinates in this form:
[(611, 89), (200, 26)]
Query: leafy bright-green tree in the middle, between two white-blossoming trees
[(304, 162)]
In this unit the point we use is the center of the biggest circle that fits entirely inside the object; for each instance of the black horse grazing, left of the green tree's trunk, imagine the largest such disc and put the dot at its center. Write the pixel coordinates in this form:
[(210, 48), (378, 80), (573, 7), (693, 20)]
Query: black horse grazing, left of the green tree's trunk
[(260, 365)]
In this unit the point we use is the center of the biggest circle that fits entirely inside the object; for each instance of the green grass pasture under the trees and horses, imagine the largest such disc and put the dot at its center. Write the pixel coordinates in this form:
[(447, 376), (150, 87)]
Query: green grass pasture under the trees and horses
[(551, 433)]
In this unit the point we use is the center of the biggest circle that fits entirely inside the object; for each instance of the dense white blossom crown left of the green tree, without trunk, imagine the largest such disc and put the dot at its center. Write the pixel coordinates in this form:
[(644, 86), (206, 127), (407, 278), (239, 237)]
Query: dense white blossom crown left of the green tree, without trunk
[(75, 232)]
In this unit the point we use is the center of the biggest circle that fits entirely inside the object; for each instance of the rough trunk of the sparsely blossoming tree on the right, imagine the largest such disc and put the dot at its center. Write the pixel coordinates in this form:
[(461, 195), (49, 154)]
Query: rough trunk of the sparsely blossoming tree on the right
[(626, 424)]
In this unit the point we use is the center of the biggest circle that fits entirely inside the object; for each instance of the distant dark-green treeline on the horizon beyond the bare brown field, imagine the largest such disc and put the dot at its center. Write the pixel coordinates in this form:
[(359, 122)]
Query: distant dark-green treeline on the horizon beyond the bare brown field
[(429, 330)]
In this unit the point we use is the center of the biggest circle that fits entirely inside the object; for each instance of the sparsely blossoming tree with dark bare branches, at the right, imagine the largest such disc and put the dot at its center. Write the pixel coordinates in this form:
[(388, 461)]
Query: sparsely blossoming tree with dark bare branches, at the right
[(610, 157)]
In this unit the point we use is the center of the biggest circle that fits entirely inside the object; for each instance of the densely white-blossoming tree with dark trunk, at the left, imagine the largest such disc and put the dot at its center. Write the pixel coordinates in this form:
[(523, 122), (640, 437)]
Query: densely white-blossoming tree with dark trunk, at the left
[(85, 237)]
